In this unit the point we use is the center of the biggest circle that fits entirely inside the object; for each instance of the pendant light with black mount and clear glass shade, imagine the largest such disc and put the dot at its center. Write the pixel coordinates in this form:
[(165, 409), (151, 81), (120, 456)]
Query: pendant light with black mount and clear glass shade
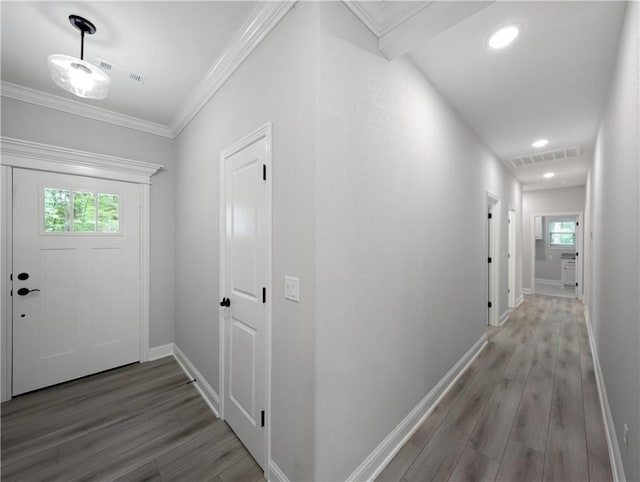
[(76, 75)]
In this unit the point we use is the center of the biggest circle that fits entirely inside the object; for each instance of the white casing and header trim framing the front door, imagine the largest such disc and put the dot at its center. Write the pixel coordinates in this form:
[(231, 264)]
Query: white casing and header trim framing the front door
[(44, 157)]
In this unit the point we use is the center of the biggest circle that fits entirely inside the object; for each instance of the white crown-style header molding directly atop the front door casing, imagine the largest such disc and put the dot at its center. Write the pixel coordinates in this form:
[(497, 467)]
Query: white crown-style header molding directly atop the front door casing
[(34, 155)]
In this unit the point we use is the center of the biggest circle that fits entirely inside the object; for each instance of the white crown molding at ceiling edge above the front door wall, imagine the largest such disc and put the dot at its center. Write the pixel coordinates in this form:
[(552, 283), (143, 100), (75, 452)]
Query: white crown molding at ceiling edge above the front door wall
[(44, 99)]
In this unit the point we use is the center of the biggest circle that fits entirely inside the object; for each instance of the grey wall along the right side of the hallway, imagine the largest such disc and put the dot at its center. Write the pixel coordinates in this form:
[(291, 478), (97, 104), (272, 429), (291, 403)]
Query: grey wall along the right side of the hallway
[(613, 224)]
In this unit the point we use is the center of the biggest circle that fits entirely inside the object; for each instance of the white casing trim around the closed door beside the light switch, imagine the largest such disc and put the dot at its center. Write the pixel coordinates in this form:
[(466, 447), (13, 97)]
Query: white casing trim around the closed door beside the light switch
[(263, 132)]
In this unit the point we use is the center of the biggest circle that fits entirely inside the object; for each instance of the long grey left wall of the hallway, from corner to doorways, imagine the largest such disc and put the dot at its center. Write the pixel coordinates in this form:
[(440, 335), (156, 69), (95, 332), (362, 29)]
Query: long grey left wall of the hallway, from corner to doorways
[(400, 251)]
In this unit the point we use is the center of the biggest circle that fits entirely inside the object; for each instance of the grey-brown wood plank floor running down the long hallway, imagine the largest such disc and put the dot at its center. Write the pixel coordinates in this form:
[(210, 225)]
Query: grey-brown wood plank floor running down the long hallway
[(526, 409)]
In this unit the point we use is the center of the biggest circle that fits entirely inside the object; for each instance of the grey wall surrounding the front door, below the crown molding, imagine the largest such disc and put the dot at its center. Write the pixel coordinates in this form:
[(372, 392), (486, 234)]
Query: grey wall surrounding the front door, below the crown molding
[(34, 123)]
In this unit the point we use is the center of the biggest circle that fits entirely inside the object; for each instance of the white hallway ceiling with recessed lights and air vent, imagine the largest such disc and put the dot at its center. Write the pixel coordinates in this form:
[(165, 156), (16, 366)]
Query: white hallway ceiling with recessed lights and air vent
[(550, 83)]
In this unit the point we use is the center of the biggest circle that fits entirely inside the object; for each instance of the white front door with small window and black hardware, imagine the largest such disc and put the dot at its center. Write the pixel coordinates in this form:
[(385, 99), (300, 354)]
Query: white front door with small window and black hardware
[(76, 277)]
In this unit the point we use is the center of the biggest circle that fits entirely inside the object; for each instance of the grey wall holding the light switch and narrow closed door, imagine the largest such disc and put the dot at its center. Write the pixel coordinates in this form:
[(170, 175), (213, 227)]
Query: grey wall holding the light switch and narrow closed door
[(276, 83)]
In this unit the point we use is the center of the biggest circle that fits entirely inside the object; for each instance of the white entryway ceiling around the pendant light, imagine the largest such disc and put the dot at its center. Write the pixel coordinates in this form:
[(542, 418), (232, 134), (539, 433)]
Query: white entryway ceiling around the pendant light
[(173, 44)]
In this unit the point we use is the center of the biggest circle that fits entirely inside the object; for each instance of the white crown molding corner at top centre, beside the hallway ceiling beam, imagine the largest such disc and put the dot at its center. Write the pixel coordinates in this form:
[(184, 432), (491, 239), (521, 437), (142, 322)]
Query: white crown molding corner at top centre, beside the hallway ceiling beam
[(379, 21)]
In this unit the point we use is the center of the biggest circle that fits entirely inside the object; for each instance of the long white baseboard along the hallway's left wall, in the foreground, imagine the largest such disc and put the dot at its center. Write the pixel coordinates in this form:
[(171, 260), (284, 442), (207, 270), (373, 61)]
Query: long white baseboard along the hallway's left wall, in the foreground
[(371, 467)]
